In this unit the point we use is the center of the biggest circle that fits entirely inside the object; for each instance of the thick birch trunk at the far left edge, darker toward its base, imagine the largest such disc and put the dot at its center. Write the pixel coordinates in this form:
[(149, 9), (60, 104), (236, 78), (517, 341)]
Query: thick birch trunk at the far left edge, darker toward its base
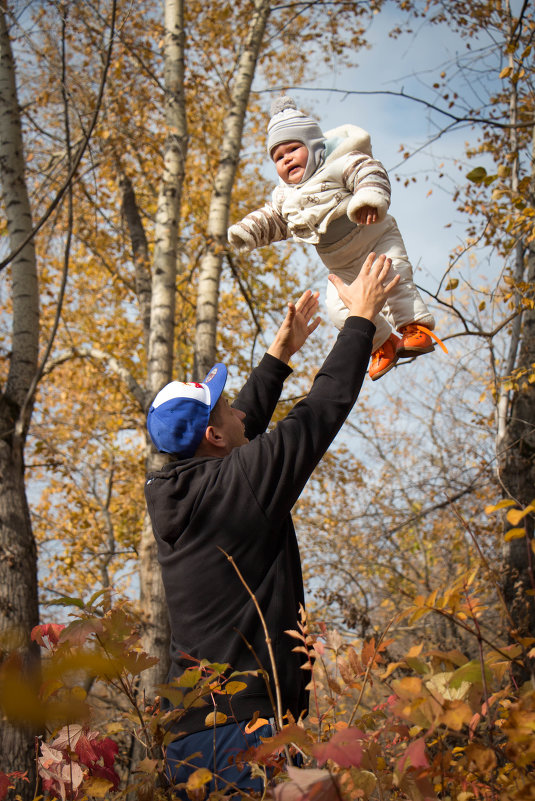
[(18, 556)]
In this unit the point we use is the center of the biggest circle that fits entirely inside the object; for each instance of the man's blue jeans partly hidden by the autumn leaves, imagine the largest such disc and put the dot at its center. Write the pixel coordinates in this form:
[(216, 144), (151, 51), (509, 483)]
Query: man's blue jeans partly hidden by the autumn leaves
[(229, 741)]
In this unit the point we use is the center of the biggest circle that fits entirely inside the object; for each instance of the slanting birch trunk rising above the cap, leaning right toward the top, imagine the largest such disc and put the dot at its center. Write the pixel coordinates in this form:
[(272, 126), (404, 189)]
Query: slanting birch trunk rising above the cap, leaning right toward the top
[(210, 267)]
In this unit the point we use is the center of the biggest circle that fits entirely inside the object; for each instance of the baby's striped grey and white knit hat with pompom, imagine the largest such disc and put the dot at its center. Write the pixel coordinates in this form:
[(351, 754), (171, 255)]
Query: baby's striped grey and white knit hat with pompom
[(288, 124)]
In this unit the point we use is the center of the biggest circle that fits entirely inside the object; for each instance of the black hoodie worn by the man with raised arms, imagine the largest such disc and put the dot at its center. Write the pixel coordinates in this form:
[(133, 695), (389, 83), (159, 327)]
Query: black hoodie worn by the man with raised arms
[(241, 504)]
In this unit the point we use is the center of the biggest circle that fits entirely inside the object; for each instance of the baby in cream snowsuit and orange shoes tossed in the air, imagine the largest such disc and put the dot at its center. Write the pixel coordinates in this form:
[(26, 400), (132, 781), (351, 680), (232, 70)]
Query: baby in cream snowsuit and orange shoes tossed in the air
[(335, 195)]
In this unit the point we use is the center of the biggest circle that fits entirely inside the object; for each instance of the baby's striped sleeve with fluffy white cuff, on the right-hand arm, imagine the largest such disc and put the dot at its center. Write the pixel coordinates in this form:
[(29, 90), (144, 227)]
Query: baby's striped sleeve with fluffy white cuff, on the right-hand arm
[(368, 182)]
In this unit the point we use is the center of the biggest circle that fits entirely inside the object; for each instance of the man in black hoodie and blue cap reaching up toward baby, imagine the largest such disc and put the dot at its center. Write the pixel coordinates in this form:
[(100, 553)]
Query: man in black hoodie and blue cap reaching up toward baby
[(230, 490)]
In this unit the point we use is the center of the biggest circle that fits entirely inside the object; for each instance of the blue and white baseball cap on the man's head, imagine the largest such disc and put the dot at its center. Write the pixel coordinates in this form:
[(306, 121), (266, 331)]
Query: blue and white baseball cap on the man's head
[(179, 413)]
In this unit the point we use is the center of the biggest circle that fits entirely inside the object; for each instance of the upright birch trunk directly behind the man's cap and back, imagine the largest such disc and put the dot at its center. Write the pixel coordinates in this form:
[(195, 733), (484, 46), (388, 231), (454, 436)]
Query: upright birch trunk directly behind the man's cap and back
[(162, 321)]
